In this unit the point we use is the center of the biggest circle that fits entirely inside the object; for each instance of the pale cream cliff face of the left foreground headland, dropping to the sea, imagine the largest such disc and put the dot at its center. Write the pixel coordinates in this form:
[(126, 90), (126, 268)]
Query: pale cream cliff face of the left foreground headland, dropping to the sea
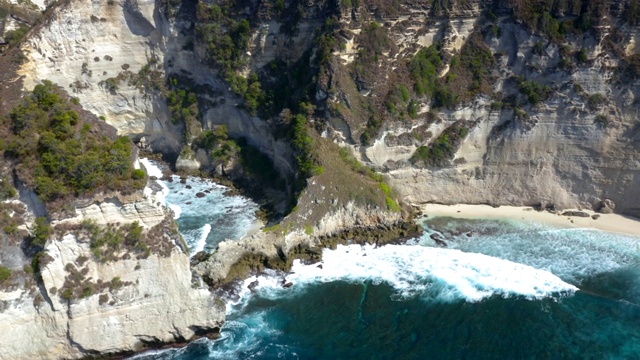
[(83, 306)]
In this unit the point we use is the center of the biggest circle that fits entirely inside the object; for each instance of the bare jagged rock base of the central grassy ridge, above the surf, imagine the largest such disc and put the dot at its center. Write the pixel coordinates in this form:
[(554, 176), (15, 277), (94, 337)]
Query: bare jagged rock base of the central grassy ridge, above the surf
[(278, 248)]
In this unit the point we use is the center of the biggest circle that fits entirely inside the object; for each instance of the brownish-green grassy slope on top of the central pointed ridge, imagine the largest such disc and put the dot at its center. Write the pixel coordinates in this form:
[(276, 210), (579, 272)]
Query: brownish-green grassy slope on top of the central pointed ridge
[(344, 180)]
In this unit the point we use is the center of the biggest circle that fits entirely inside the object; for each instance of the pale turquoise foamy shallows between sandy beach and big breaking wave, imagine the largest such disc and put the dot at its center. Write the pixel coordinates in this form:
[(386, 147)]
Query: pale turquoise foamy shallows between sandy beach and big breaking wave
[(571, 254)]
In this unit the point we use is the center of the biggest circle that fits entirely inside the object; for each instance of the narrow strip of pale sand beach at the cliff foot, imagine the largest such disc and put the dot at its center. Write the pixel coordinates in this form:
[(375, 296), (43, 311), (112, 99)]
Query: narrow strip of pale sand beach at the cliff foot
[(607, 222)]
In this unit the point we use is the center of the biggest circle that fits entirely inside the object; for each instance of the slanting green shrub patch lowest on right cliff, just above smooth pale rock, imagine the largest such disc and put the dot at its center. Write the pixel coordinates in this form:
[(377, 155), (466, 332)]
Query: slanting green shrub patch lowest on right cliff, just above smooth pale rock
[(443, 148)]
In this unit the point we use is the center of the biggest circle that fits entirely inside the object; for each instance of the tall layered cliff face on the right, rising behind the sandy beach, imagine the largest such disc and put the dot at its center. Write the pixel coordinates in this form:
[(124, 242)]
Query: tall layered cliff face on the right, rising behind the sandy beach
[(572, 147)]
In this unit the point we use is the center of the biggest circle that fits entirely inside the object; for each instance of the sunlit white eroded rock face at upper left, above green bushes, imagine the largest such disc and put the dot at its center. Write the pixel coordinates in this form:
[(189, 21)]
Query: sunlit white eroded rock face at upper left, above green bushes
[(87, 44)]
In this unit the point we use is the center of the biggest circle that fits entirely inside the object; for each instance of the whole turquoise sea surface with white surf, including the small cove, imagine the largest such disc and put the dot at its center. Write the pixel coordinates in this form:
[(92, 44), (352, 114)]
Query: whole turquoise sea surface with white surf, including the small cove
[(500, 289)]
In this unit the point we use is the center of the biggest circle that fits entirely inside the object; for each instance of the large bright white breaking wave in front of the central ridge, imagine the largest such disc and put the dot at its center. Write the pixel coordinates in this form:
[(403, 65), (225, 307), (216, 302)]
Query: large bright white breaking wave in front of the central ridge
[(432, 273)]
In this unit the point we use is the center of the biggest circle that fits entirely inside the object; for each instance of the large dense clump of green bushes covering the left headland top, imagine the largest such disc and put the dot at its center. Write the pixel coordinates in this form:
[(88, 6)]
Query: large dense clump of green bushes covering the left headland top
[(60, 154)]
